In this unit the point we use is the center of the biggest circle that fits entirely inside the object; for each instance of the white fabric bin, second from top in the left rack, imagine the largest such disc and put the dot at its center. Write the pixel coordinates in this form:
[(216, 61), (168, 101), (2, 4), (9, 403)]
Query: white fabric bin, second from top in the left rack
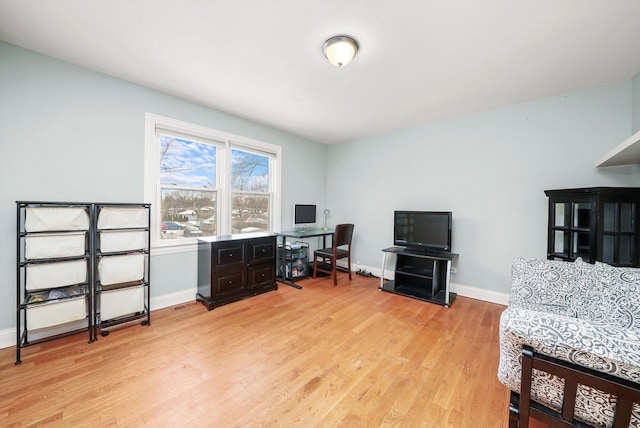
[(55, 245)]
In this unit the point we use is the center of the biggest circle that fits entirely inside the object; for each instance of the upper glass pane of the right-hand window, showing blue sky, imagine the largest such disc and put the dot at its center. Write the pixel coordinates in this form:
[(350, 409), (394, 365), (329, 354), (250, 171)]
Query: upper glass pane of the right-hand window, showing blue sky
[(249, 171)]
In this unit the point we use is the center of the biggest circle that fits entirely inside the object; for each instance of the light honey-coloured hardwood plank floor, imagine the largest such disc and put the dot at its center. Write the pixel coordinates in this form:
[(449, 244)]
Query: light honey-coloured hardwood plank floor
[(323, 356)]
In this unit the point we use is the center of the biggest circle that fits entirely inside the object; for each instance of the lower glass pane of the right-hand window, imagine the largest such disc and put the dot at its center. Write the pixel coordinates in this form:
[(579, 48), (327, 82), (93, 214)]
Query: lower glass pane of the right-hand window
[(249, 213)]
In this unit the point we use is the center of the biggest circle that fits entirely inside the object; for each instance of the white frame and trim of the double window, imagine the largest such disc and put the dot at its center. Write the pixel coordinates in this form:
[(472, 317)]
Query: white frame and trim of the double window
[(225, 142)]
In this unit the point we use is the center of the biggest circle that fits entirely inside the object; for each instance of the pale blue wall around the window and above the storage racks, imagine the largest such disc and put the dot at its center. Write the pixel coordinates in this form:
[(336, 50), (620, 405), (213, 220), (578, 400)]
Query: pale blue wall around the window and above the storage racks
[(71, 134)]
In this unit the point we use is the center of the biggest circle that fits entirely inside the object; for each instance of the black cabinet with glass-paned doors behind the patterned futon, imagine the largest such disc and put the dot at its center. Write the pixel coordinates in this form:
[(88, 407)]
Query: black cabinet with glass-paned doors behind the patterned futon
[(596, 224)]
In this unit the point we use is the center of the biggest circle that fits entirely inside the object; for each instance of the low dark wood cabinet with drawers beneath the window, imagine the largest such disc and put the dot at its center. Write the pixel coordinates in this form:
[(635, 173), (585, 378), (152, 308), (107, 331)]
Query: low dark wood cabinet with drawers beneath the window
[(235, 267)]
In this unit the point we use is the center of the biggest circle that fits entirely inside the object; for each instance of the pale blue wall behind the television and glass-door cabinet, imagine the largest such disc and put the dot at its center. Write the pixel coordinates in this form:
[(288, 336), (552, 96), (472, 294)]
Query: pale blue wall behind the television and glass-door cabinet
[(490, 169)]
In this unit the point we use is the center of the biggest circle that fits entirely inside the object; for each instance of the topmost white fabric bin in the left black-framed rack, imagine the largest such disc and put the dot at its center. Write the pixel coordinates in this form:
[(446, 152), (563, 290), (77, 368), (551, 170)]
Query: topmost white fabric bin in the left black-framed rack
[(51, 219)]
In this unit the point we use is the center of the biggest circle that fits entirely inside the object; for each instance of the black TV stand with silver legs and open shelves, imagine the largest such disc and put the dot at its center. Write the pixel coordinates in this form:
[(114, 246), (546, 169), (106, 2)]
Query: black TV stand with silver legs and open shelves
[(422, 275)]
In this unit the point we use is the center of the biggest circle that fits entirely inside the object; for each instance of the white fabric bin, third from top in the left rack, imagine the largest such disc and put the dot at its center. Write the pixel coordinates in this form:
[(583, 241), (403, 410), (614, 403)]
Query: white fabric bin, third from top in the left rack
[(52, 275)]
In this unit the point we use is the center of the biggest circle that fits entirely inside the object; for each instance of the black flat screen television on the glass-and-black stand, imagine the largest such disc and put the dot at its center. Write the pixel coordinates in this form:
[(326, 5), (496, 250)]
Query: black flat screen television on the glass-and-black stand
[(426, 230)]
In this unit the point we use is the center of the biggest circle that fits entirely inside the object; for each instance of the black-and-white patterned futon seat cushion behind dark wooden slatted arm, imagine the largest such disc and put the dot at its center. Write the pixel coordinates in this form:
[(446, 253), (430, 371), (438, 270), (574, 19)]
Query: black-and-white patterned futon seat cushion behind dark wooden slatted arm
[(601, 347)]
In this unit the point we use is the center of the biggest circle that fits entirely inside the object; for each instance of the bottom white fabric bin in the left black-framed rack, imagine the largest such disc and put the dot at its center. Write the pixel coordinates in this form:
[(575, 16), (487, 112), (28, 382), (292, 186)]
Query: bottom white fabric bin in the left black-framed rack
[(56, 312)]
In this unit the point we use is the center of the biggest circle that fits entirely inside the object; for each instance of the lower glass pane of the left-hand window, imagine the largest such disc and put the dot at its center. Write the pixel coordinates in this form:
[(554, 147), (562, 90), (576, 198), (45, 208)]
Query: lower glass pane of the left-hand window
[(187, 213)]
